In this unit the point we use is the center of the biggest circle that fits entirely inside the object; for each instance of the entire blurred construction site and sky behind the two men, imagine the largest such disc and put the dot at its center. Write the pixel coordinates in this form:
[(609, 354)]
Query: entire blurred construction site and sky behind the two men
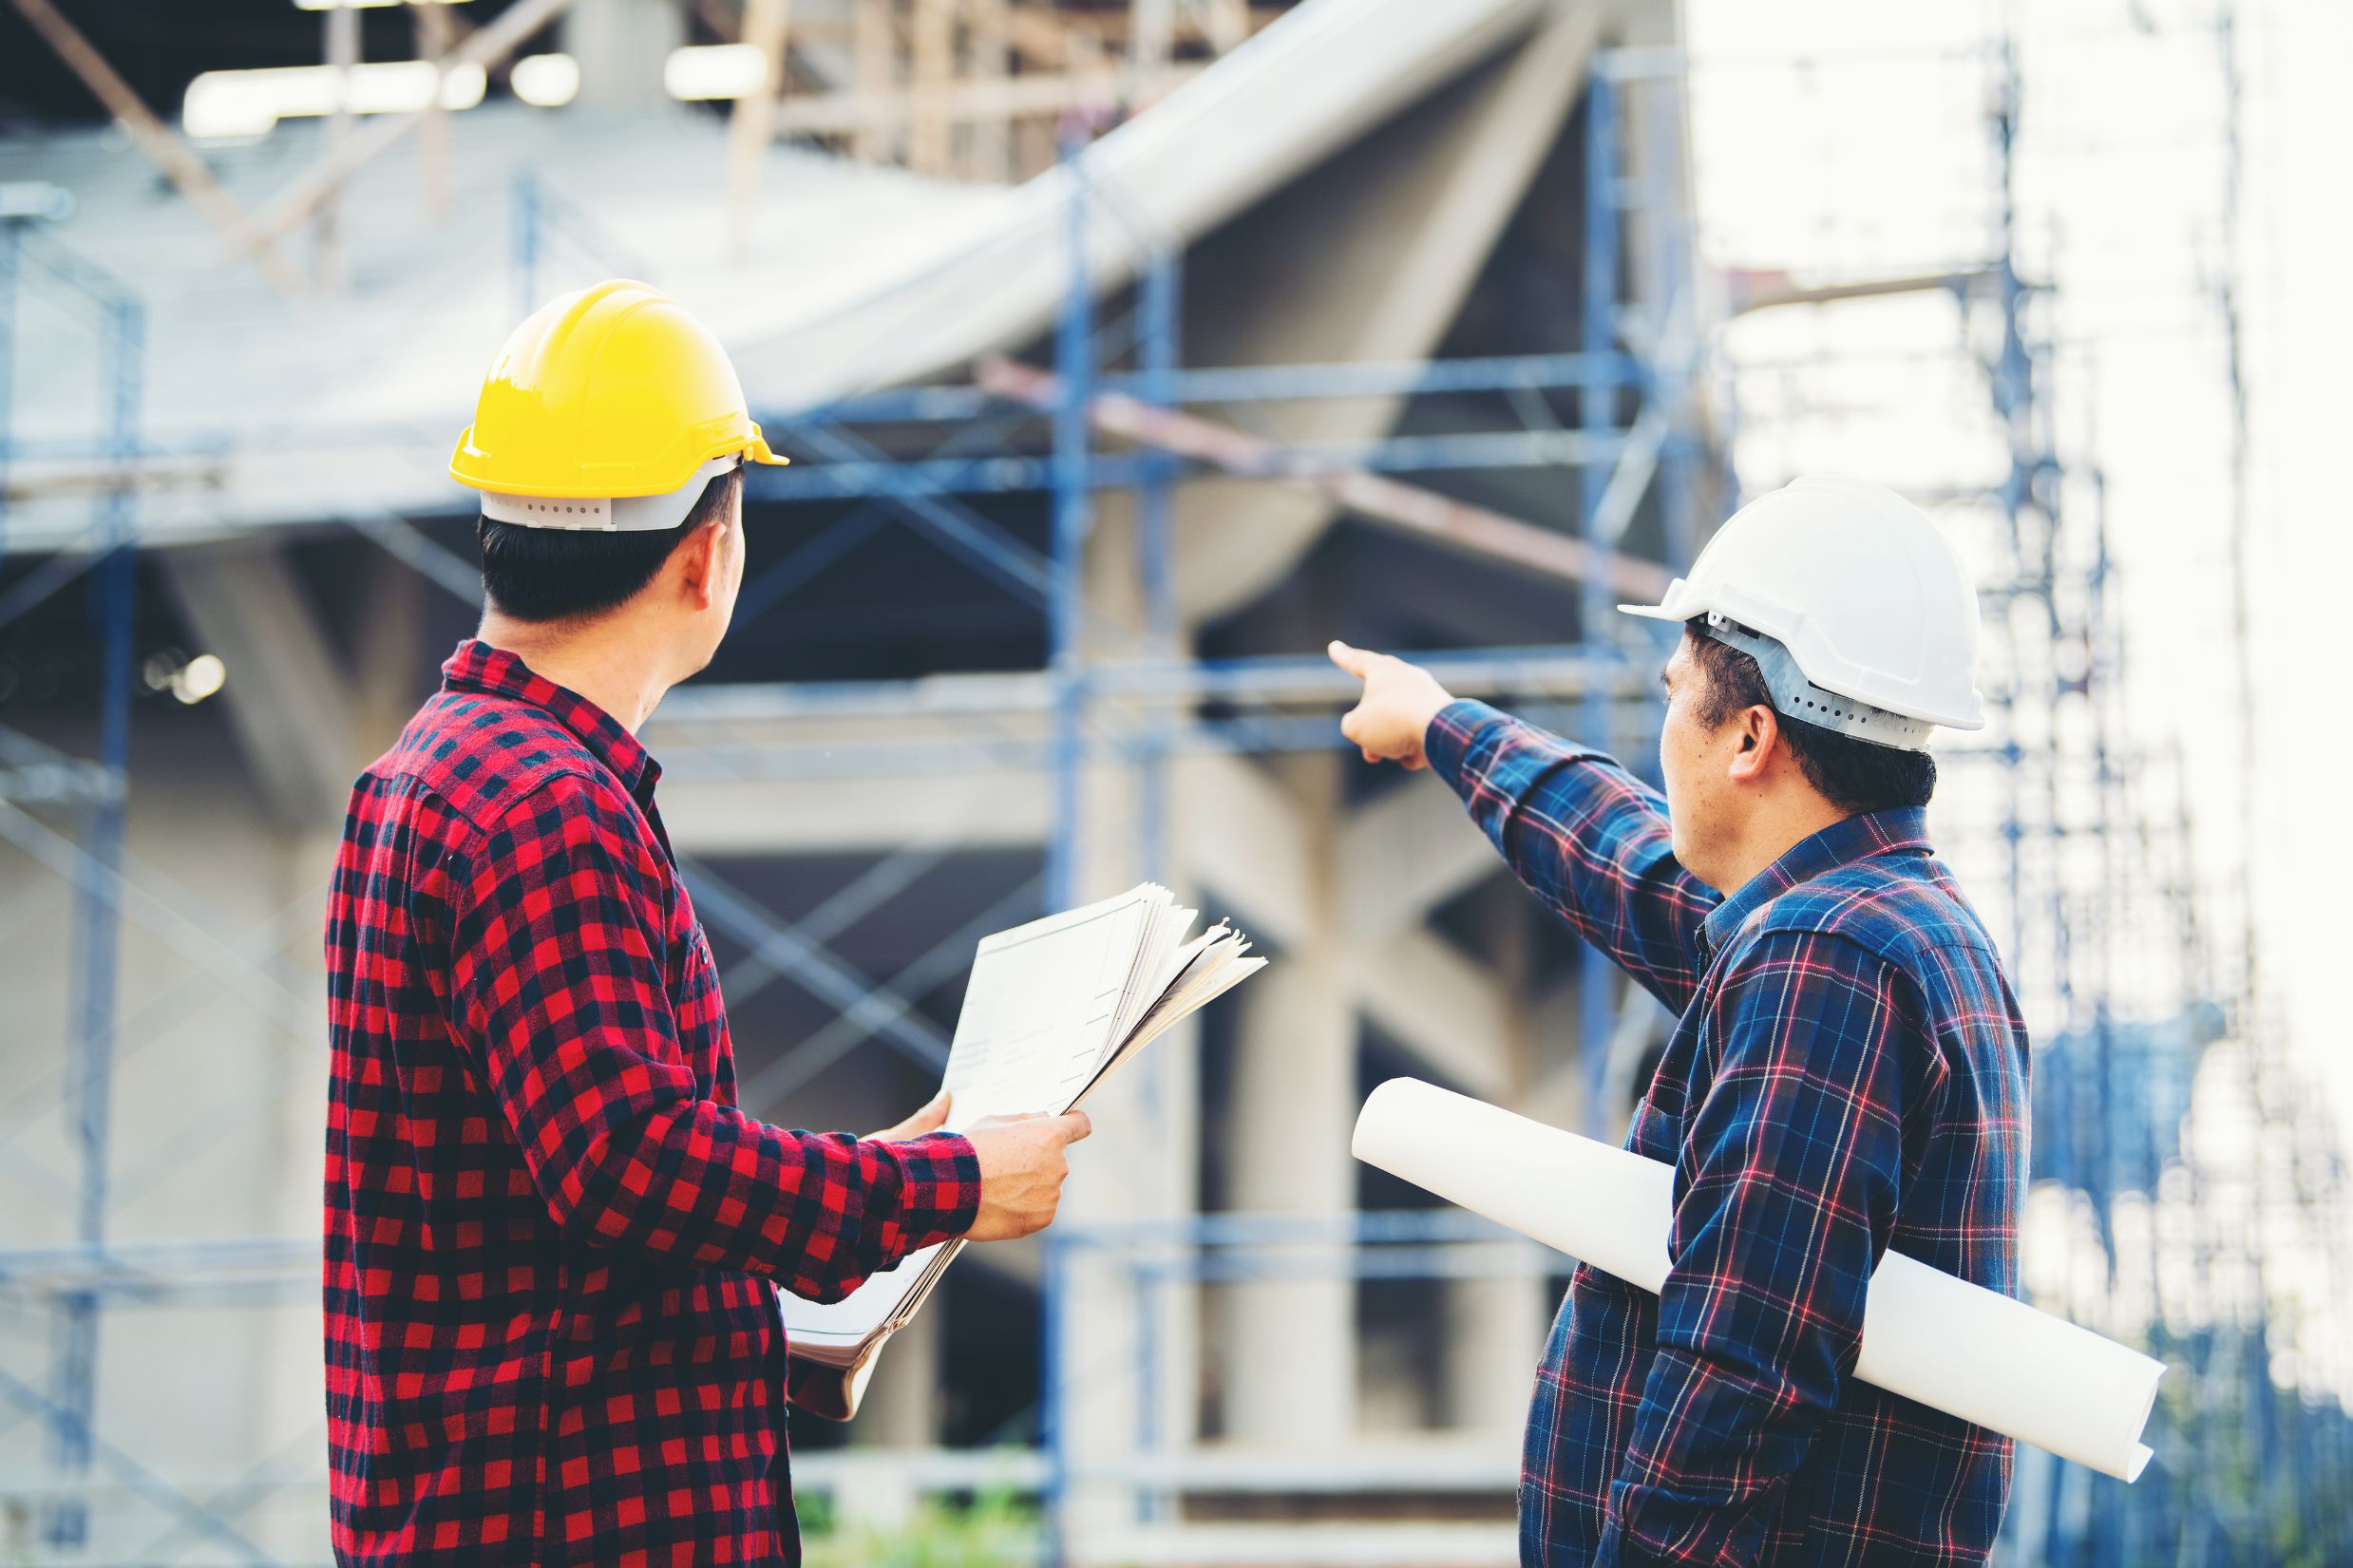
[(1126, 354)]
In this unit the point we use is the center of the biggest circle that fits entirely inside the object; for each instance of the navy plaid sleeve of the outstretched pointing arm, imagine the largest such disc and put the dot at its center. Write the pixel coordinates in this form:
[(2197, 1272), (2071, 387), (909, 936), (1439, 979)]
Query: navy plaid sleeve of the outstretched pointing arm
[(1585, 836)]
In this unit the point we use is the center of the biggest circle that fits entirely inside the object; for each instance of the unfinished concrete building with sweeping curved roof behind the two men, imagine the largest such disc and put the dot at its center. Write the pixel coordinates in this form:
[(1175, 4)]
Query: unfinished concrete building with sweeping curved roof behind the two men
[(1001, 645)]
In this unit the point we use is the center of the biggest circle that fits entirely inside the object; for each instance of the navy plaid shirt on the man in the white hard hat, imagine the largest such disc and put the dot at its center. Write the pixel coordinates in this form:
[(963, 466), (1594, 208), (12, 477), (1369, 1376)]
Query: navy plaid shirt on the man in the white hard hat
[(1848, 1076)]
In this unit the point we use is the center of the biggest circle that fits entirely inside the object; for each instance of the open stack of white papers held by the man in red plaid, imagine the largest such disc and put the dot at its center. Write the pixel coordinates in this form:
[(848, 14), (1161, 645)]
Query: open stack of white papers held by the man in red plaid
[(1051, 1012)]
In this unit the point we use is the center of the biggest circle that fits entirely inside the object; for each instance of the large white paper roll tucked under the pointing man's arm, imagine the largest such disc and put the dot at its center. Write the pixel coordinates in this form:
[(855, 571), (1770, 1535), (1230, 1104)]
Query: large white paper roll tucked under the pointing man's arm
[(1928, 1336)]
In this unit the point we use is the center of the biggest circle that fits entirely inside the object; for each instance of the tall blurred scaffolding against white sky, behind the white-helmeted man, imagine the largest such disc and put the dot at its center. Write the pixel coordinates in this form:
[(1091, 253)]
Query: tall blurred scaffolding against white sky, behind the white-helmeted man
[(2135, 979)]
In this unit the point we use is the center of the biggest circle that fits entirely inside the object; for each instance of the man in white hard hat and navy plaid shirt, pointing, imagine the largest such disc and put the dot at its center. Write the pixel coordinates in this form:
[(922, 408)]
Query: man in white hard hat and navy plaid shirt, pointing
[(1848, 1068)]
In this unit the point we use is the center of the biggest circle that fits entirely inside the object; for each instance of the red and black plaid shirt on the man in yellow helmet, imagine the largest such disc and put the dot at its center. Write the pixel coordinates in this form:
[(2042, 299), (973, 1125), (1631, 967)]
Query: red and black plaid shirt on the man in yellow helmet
[(552, 1238)]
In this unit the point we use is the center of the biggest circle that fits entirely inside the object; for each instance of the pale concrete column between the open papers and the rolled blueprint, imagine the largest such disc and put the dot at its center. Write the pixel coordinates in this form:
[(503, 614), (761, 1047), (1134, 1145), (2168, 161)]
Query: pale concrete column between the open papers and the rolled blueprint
[(1291, 1346)]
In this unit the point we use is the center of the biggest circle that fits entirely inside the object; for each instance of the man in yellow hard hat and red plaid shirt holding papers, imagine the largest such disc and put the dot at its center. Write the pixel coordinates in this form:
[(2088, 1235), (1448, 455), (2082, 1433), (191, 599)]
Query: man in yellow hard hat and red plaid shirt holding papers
[(552, 1235)]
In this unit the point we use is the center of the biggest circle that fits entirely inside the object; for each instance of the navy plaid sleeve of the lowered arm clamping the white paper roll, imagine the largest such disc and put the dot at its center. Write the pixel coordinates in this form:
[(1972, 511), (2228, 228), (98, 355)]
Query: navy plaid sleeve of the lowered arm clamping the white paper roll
[(1785, 1200)]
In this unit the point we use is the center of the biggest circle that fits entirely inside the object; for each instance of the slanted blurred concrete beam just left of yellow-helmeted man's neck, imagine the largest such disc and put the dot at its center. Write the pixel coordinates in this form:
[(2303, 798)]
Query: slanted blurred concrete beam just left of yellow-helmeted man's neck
[(286, 695)]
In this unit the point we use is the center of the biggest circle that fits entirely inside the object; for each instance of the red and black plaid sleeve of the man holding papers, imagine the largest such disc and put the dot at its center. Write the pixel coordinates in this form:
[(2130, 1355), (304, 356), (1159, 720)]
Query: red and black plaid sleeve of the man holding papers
[(556, 977)]
